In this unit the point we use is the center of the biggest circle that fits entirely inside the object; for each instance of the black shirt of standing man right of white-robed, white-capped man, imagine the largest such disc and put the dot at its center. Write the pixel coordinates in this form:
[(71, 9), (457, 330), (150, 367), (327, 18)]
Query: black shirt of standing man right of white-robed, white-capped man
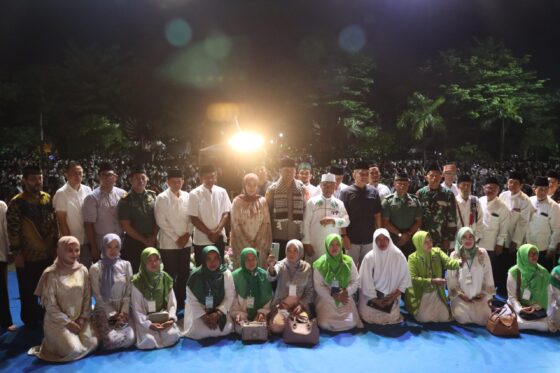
[(361, 204)]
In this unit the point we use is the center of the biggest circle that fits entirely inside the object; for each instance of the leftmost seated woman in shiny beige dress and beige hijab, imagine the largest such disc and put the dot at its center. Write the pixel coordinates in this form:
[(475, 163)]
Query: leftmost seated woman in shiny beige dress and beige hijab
[(66, 295)]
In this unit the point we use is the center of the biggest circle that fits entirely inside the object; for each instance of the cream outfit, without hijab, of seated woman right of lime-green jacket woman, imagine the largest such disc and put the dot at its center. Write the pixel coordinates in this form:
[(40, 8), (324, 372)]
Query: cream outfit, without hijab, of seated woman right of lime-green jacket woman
[(481, 282)]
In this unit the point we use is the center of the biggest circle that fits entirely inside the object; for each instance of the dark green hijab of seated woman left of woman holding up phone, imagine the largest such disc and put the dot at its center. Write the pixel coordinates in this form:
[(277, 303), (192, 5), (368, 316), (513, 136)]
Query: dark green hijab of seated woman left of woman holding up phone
[(252, 283)]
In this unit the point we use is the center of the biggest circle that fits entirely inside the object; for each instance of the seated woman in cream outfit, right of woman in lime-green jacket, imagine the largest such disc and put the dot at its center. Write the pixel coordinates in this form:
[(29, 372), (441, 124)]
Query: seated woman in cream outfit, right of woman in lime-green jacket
[(472, 285)]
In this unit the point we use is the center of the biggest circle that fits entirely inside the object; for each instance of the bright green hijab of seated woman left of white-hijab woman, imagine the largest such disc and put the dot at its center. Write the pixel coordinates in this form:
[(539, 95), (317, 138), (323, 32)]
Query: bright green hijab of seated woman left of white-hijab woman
[(331, 267)]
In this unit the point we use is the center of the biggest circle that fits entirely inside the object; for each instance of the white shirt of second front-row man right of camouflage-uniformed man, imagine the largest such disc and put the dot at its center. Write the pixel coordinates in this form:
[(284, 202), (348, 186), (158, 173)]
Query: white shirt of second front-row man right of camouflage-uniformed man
[(495, 222)]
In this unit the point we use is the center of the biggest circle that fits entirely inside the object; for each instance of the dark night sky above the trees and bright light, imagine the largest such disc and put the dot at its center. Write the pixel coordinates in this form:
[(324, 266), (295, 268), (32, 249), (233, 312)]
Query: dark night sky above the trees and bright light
[(267, 49)]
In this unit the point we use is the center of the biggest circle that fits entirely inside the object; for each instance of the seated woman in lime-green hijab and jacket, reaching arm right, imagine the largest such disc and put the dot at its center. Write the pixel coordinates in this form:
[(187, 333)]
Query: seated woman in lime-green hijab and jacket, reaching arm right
[(426, 299)]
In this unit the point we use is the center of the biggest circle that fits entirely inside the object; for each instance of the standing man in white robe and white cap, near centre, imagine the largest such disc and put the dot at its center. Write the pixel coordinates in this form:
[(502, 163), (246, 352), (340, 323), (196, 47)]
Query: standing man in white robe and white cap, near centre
[(324, 214)]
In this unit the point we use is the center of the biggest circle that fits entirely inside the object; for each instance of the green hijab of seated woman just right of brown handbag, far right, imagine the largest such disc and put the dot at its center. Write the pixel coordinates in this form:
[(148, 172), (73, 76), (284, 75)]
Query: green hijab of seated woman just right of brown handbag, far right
[(533, 277)]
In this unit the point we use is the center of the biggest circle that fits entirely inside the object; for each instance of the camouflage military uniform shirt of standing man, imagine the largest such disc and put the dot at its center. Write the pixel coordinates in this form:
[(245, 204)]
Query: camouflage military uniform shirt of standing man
[(439, 215)]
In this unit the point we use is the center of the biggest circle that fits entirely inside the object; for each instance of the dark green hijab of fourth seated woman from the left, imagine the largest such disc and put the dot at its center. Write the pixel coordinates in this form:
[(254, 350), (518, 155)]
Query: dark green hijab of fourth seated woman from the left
[(203, 281)]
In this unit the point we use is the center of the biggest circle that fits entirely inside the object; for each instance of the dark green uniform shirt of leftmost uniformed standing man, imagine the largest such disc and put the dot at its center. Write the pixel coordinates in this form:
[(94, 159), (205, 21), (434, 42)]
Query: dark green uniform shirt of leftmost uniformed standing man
[(138, 208)]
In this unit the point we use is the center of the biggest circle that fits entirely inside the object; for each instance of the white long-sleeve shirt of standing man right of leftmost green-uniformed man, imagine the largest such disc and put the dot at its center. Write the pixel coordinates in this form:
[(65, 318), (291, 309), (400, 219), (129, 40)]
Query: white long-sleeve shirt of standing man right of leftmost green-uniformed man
[(172, 218)]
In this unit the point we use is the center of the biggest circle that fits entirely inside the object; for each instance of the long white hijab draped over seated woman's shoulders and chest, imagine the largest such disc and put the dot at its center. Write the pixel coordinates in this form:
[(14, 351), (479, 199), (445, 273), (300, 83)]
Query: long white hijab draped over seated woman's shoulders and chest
[(384, 270)]
